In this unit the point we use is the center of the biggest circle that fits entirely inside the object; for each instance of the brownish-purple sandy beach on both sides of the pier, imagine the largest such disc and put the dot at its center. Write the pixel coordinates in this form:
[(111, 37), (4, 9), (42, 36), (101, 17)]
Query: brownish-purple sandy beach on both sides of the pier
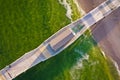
[(106, 32)]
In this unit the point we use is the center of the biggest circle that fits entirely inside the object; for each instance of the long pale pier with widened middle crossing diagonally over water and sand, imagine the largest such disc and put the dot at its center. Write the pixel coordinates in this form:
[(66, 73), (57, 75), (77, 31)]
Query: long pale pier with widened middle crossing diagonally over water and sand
[(59, 41)]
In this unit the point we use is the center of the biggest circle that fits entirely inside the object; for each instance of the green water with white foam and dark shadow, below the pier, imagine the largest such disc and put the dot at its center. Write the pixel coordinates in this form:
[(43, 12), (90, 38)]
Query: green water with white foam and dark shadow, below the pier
[(80, 61)]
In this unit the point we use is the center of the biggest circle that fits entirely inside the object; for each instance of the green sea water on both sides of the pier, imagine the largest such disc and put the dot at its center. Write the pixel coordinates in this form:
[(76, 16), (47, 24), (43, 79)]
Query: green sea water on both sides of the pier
[(24, 24)]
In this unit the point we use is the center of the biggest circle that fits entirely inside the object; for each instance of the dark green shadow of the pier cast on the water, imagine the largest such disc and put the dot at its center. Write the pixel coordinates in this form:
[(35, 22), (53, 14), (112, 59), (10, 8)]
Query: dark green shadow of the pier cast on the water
[(58, 67)]
